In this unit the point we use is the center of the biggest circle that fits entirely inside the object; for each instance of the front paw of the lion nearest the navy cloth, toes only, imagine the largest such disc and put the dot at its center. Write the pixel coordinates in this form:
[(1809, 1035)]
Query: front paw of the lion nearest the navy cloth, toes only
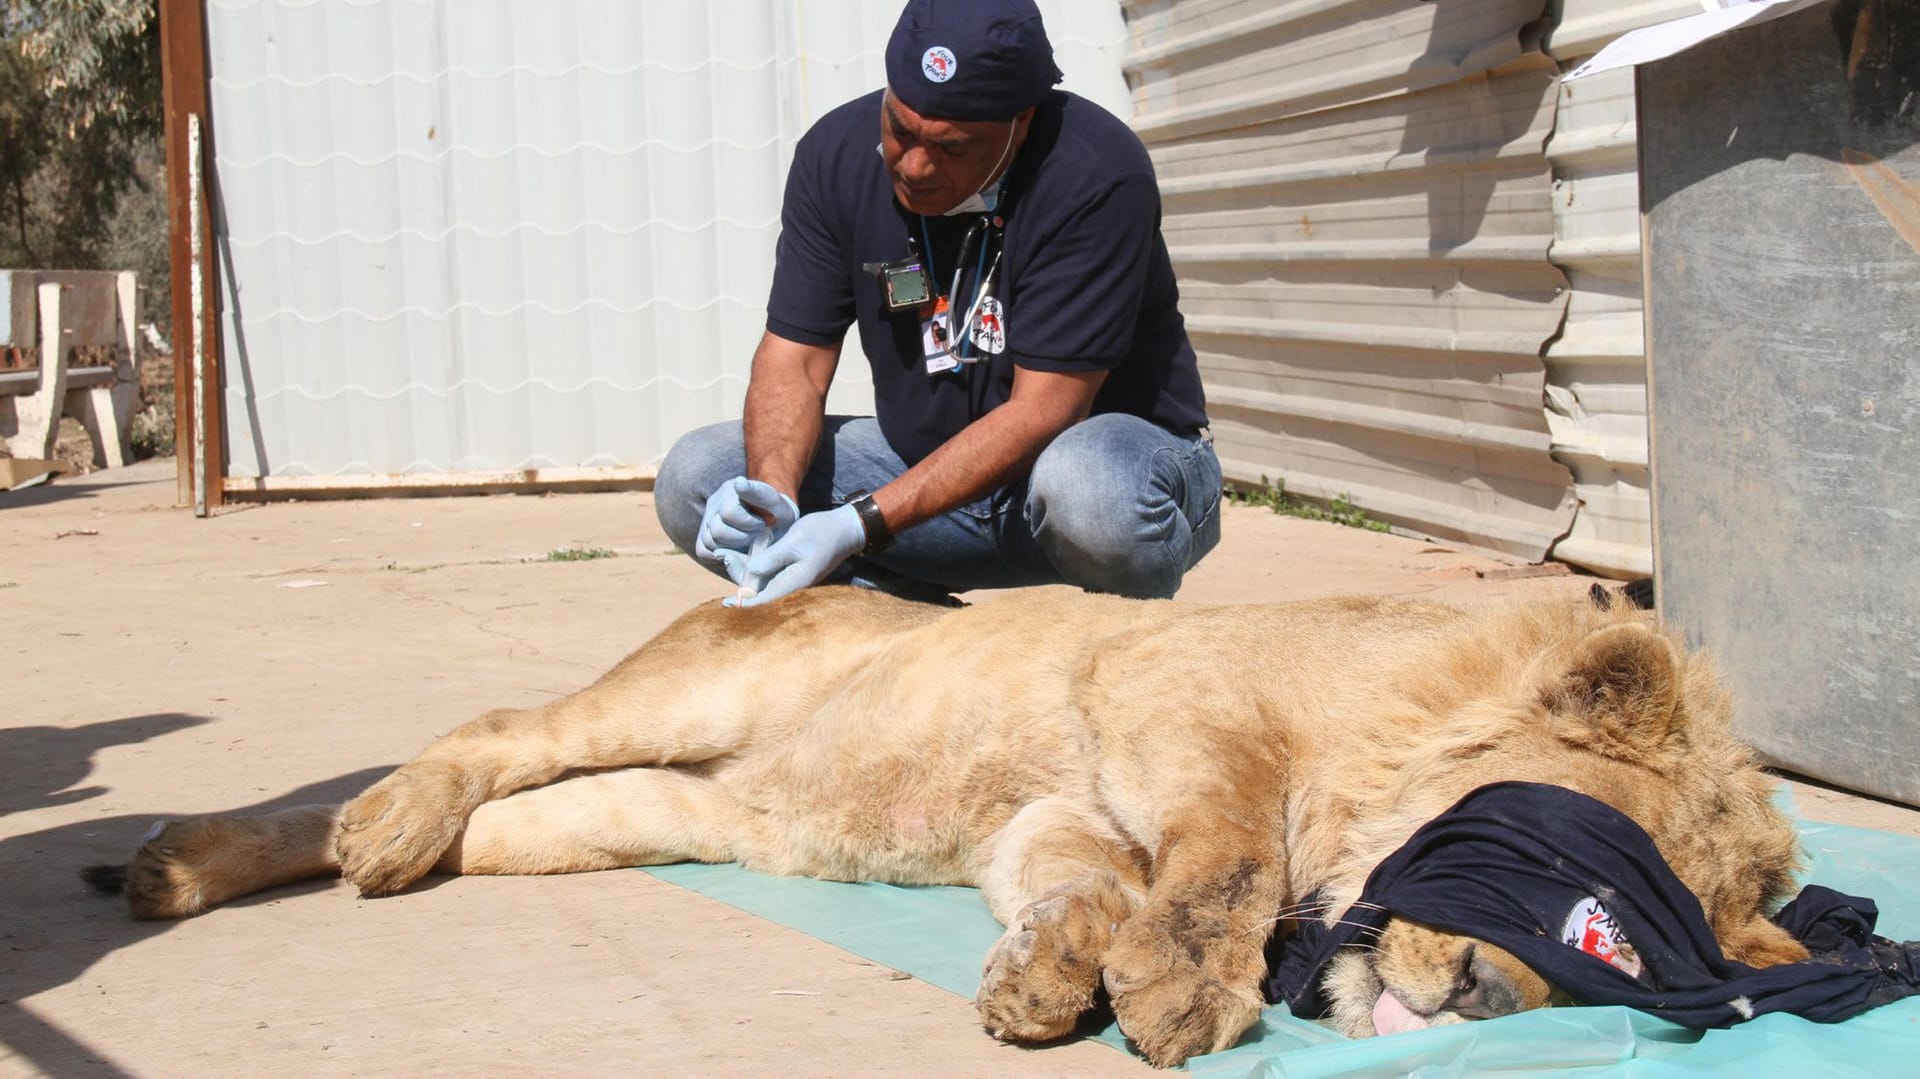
[(1174, 1009)]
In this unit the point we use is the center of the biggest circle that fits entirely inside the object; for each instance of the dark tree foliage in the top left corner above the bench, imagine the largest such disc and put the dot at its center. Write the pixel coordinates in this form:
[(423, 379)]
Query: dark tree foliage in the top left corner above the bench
[(80, 132)]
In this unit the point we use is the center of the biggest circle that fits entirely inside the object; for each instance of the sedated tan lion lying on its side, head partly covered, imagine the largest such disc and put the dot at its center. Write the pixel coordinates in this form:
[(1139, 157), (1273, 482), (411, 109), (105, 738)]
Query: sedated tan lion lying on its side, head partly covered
[(1140, 788)]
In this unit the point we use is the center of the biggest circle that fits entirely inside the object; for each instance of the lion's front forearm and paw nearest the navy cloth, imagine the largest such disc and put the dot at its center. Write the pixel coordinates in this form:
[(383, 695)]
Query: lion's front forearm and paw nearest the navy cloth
[(1186, 972)]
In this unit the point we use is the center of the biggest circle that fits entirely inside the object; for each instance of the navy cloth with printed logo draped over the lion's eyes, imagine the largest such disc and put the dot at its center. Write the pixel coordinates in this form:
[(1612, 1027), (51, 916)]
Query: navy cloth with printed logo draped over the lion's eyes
[(1579, 894)]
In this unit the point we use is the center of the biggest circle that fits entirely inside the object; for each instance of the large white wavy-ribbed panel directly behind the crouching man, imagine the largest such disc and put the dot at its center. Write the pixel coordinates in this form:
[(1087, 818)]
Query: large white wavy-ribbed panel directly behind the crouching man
[(479, 237)]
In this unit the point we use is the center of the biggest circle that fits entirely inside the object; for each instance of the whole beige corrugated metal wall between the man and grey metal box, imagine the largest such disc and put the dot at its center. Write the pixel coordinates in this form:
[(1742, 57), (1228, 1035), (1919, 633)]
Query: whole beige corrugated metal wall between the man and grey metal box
[(1410, 258)]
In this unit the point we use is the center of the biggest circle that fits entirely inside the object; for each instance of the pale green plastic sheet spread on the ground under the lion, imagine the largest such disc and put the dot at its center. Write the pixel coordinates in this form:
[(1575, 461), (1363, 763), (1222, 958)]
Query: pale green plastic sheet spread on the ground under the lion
[(942, 934)]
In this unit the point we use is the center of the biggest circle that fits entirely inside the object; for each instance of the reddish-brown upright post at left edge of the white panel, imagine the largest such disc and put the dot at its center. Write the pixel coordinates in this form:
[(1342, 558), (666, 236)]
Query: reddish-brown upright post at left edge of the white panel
[(183, 41)]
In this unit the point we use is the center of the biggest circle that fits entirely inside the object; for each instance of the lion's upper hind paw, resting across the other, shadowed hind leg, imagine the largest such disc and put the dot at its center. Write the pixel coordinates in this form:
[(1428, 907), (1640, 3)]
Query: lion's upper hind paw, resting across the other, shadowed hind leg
[(393, 834)]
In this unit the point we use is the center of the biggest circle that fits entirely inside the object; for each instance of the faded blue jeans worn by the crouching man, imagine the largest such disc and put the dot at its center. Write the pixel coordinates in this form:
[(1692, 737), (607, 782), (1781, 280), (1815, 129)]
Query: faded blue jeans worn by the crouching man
[(1116, 504)]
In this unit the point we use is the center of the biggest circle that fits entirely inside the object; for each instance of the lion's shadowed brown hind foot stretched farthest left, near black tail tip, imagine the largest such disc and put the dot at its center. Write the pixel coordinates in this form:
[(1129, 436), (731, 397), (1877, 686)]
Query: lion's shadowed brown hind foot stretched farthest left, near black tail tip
[(189, 867)]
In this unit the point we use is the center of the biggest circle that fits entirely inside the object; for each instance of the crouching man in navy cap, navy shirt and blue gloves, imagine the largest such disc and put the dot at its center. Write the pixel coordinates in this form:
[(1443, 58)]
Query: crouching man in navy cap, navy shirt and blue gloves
[(1040, 410)]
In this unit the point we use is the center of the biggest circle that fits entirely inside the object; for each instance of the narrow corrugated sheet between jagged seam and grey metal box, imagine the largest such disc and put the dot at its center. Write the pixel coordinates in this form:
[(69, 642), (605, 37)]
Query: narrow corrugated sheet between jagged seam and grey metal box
[(1596, 370)]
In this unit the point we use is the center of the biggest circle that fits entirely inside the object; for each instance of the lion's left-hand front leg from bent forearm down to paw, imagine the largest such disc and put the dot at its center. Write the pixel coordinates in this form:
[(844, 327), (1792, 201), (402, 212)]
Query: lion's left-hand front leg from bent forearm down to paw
[(1061, 880)]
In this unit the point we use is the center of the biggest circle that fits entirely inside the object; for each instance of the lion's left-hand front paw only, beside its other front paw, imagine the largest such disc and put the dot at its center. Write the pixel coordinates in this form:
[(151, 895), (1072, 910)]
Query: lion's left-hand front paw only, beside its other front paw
[(1042, 972)]
